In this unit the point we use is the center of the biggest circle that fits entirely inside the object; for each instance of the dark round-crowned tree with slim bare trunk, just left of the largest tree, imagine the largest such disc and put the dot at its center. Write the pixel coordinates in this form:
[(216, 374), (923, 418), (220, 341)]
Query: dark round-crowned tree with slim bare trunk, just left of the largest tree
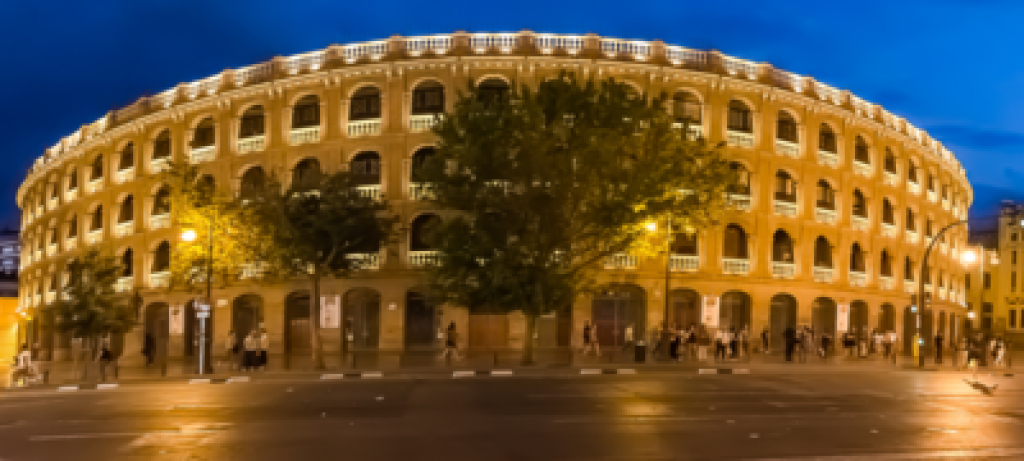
[(316, 228)]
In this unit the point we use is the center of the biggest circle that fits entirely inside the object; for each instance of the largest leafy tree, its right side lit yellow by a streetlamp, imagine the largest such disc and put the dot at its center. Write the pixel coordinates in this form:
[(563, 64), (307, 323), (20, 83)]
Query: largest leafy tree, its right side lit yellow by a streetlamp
[(546, 185)]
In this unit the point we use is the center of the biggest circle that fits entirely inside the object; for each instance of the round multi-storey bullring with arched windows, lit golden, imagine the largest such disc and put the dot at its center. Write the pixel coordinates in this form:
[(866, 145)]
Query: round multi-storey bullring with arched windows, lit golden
[(840, 197)]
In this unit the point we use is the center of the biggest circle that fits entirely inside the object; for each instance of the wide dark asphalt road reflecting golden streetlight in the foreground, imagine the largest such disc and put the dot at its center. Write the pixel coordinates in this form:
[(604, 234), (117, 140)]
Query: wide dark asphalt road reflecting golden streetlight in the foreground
[(902, 415)]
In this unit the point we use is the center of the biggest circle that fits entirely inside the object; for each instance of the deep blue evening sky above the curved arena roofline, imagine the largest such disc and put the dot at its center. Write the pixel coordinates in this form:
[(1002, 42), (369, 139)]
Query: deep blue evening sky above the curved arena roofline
[(952, 67)]
